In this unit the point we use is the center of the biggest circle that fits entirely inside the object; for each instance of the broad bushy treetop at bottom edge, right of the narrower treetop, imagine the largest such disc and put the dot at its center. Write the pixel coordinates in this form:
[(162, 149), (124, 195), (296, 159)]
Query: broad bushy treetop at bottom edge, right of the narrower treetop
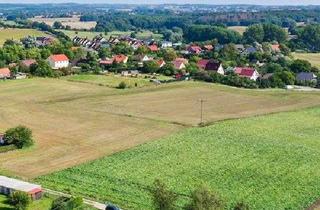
[(204, 199)]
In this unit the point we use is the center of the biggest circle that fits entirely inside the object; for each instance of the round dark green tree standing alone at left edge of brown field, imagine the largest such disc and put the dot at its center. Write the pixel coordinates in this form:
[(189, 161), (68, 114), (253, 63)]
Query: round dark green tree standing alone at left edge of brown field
[(20, 136)]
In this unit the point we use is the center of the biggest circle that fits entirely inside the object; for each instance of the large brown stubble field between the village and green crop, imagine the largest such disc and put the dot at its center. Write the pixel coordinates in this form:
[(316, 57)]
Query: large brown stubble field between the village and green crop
[(77, 122)]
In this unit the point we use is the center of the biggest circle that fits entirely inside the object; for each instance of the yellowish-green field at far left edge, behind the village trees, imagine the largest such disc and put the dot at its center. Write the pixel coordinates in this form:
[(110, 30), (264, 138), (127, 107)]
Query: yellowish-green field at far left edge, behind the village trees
[(17, 34)]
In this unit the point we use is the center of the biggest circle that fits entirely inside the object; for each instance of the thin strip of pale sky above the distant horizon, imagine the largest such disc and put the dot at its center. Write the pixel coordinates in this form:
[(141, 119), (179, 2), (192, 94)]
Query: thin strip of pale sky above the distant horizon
[(266, 2)]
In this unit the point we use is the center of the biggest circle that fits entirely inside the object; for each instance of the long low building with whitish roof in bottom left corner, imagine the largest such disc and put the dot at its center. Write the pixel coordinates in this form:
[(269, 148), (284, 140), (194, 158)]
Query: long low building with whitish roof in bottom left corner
[(9, 185)]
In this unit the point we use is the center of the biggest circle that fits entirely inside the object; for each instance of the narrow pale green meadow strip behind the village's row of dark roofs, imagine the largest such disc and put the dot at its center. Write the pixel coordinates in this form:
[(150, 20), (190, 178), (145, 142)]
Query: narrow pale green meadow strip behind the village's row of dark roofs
[(91, 34)]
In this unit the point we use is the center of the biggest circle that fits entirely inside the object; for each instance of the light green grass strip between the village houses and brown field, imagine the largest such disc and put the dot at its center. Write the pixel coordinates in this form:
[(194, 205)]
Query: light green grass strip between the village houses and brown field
[(113, 80)]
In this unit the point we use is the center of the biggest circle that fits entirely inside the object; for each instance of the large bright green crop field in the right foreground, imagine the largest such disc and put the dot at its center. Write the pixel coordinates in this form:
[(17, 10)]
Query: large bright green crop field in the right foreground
[(268, 162)]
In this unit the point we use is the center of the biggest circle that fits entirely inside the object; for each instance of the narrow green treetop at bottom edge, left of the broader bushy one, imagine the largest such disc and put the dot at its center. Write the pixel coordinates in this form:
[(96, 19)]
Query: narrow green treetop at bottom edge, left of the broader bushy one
[(163, 199)]
